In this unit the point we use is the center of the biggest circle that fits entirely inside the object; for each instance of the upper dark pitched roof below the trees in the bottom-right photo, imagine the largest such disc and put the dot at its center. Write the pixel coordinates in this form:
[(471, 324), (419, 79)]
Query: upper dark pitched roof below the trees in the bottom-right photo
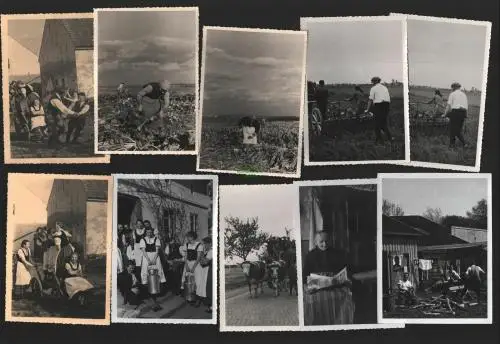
[(438, 235)]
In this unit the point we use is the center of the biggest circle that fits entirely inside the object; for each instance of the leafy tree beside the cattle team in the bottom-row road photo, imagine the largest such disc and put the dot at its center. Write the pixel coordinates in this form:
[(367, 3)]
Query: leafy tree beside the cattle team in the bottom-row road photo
[(240, 237)]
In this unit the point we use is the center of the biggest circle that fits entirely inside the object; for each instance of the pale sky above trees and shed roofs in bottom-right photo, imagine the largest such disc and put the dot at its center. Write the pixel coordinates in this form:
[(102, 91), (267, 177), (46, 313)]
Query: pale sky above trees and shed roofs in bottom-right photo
[(454, 196)]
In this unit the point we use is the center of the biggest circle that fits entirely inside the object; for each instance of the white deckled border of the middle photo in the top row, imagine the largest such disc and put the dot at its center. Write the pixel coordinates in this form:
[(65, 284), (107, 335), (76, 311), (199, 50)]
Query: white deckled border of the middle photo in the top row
[(301, 110)]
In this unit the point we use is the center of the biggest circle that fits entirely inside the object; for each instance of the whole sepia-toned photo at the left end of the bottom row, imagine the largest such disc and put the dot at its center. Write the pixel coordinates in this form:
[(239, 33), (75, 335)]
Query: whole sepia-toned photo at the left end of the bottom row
[(58, 238)]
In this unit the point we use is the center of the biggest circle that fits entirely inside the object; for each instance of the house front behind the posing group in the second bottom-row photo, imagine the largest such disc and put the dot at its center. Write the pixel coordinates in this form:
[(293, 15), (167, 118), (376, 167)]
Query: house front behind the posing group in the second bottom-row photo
[(173, 207)]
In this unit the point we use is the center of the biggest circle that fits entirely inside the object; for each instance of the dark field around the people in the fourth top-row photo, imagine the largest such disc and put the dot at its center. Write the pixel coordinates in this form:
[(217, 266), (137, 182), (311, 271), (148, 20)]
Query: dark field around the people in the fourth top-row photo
[(359, 145)]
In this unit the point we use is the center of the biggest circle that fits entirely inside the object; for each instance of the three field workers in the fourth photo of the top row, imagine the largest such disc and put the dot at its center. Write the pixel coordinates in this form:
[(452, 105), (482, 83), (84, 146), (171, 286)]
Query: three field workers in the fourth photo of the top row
[(378, 103)]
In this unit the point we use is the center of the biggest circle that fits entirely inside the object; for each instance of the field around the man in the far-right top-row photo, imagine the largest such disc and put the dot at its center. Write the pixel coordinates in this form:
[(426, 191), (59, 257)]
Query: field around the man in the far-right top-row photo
[(429, 144)]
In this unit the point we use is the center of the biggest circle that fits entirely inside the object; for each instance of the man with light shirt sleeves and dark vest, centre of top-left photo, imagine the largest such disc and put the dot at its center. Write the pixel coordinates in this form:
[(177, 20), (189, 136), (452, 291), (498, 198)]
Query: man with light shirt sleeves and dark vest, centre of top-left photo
[(56, 112)]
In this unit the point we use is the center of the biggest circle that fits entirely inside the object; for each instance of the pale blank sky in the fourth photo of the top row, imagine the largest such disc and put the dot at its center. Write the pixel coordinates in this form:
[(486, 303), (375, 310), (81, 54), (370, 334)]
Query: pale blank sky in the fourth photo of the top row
[(355, 51)]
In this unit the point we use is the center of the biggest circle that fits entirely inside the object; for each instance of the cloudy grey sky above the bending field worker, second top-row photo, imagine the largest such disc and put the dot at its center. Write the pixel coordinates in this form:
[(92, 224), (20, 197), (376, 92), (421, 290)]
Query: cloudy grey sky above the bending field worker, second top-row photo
[(162, 46)]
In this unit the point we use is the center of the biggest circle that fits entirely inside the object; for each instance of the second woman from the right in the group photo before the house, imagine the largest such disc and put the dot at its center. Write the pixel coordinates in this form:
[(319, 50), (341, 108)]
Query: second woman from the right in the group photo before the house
[(192, 252)]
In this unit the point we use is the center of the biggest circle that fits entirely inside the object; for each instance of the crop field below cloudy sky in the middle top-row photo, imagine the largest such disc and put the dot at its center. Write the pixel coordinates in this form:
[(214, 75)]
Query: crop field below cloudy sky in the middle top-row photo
[(277, 151)]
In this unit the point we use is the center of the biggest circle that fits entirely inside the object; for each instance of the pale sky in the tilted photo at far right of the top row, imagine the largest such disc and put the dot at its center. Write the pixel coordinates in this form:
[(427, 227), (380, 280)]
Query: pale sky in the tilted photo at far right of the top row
[(441, 53)]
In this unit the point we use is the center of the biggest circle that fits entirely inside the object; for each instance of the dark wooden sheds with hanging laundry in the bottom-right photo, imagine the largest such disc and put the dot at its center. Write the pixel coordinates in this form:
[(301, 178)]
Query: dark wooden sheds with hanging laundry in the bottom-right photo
[(424, 249)]
